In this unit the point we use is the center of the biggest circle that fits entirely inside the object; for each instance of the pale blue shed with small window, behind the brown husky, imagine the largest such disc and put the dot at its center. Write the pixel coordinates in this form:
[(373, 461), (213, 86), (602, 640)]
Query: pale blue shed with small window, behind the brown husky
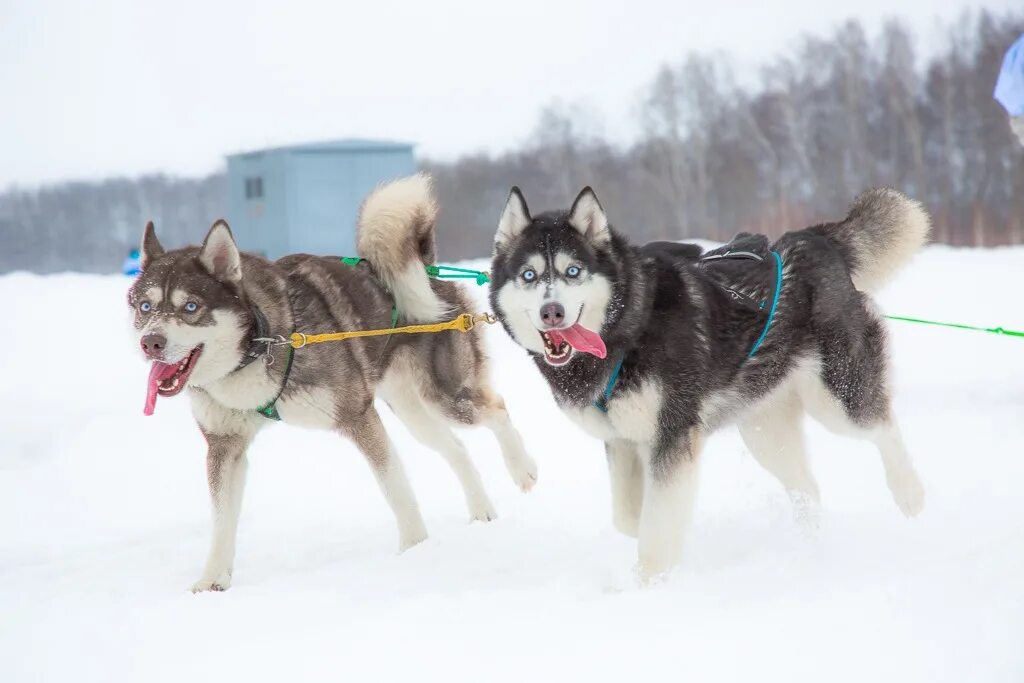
[(306, 198)]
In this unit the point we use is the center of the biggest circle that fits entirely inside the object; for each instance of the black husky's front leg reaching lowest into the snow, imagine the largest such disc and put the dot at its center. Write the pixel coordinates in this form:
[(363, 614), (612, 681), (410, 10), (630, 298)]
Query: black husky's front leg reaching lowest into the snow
[(669, 498)]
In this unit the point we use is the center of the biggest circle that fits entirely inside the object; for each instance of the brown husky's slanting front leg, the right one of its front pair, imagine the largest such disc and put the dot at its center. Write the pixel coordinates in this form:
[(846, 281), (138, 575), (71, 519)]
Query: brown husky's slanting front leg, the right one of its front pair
[(368, 434)]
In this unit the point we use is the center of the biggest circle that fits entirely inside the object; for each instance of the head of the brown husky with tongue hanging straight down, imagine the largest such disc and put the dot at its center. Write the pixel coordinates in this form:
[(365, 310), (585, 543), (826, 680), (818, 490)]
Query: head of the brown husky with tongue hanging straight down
[(190, 313)]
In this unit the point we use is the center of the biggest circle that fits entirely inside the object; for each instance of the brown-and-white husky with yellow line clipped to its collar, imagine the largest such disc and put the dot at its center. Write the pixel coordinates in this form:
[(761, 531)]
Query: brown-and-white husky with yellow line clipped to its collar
[(199, 313)]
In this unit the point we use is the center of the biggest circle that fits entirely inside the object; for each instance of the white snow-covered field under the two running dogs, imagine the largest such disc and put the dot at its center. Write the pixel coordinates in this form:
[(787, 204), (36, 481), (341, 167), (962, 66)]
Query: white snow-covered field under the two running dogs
[(104, 526)]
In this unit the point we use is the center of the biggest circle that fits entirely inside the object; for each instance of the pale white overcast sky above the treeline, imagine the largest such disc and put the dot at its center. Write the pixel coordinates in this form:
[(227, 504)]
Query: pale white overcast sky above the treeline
[(122, 88)]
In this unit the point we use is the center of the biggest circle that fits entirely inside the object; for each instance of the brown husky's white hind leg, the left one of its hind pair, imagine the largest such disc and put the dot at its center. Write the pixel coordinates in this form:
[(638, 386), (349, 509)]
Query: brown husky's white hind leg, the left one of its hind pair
[(432, 432)]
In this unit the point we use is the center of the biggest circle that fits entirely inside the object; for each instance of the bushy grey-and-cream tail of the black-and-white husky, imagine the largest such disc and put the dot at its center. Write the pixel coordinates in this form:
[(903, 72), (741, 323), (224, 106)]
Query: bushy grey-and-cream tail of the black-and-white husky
[(884, 229)]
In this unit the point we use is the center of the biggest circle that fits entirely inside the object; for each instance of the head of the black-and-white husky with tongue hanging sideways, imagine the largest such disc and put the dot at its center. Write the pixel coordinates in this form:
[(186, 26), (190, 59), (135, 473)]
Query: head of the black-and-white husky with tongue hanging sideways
[(553, 277)]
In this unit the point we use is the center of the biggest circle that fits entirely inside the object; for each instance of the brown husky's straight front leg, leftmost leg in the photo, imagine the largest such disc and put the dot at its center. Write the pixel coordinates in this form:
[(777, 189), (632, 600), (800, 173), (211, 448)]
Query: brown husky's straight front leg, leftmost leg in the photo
[(226, 468)]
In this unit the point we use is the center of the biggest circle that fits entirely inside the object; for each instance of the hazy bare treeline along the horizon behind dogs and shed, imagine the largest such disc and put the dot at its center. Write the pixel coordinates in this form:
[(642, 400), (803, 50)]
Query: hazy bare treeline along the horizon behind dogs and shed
[(712, 157)]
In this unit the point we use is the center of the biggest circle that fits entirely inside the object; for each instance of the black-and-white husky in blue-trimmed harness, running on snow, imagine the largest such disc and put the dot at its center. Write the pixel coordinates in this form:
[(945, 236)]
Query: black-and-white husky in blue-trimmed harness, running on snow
[(651, 350)]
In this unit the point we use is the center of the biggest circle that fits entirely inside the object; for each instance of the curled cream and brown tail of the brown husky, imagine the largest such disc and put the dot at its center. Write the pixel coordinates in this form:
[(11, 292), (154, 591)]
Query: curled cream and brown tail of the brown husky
[(396, 233)]
